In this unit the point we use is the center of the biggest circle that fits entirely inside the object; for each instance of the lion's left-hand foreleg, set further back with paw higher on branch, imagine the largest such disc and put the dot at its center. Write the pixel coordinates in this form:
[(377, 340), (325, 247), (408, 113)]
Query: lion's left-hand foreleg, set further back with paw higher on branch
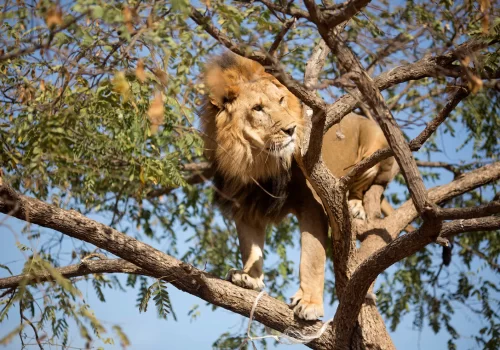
[(251, 239)]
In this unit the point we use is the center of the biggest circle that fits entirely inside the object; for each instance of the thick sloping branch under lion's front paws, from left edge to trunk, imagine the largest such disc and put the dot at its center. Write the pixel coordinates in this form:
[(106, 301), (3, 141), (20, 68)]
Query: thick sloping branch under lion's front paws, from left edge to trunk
[(270, 312)]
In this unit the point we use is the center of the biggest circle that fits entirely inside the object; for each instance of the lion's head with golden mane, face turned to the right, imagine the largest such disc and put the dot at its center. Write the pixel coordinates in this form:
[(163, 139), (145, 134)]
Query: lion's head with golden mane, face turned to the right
[(252, 123)]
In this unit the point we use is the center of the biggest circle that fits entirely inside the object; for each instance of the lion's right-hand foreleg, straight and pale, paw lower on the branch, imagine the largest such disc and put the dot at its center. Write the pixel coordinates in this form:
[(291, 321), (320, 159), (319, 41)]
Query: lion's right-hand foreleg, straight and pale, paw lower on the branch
[(308, 301)]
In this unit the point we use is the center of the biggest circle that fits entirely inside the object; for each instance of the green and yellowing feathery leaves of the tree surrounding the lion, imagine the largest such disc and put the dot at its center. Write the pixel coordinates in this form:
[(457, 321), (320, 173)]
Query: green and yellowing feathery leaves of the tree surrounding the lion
[(99, 110)]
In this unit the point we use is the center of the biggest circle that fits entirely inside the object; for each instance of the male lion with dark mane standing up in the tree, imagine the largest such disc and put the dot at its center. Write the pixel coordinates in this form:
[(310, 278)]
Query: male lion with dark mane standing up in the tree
[(252, 129)]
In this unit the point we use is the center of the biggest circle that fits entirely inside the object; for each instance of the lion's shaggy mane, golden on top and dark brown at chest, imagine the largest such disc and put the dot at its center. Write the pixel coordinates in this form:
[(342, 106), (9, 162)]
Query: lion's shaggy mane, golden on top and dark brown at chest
[(252, 186)]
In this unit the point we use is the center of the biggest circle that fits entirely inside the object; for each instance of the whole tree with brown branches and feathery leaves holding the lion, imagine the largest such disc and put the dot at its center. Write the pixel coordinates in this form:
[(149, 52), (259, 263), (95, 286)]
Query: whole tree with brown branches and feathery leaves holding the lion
[(99, 102)]
